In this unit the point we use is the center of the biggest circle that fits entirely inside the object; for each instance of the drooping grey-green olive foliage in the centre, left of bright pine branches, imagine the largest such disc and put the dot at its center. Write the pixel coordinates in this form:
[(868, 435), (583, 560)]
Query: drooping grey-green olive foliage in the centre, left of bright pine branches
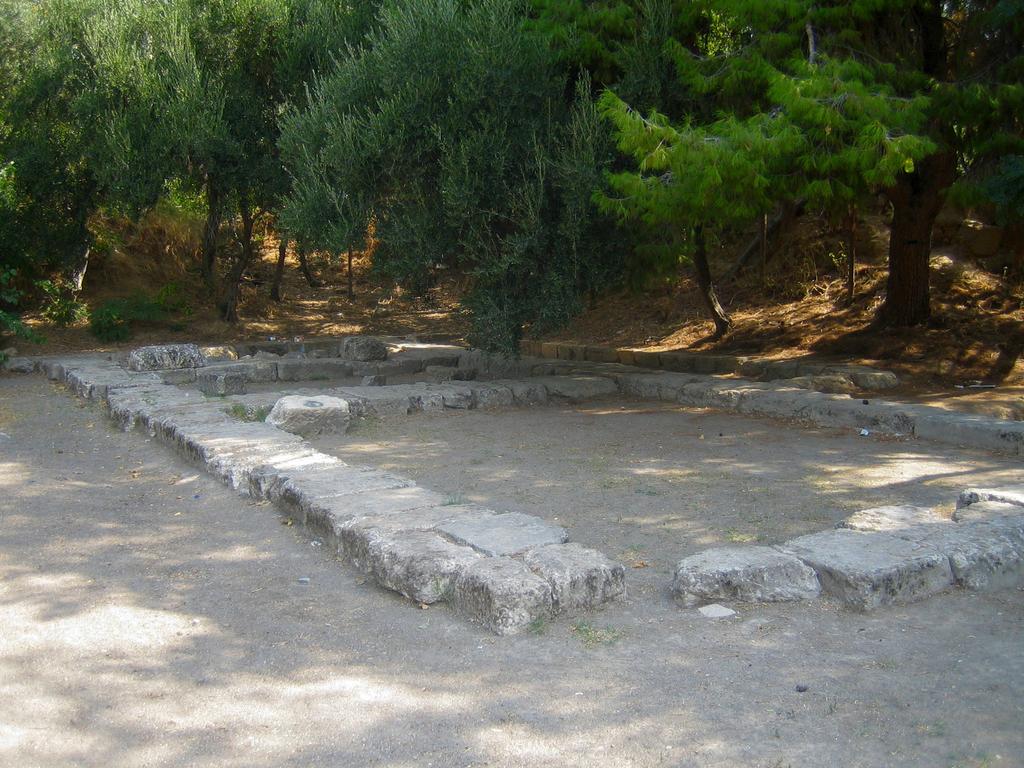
[(450, 132)]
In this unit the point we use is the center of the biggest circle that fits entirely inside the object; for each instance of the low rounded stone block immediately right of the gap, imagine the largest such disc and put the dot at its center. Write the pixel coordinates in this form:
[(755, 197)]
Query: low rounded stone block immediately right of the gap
[(754, 575)]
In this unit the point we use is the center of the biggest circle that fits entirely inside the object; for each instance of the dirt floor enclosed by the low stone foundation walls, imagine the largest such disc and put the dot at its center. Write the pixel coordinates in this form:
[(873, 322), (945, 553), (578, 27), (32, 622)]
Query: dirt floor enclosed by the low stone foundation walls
[(651, 484)]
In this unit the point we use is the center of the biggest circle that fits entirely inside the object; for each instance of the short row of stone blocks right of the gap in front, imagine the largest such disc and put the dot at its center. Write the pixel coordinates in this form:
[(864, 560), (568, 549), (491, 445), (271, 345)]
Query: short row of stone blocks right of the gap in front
[(882, 557)]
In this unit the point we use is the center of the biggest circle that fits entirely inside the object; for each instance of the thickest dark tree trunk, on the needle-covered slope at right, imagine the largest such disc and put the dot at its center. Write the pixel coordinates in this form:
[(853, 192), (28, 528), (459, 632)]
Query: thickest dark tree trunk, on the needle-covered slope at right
[(917, 199)]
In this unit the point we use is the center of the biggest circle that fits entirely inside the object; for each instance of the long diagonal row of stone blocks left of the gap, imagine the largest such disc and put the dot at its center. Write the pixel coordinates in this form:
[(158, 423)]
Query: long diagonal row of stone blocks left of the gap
[(503, 571)]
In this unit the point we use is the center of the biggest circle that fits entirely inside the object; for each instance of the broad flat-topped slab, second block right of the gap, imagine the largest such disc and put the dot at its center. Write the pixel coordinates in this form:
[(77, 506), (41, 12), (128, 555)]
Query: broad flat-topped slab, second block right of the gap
[(869, 570)]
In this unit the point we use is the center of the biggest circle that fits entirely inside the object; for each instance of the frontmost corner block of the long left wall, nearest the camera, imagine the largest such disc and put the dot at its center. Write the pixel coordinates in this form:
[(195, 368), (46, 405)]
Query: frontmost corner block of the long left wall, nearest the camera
[(502, 594)]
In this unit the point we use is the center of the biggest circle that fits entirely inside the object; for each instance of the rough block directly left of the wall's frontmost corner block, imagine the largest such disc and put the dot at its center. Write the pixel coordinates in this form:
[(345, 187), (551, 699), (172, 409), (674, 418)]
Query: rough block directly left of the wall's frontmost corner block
[(420, 565)]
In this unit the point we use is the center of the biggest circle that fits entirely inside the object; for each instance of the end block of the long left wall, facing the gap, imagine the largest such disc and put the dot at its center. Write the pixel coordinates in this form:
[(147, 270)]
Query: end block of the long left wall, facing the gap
[(580, 579)]
